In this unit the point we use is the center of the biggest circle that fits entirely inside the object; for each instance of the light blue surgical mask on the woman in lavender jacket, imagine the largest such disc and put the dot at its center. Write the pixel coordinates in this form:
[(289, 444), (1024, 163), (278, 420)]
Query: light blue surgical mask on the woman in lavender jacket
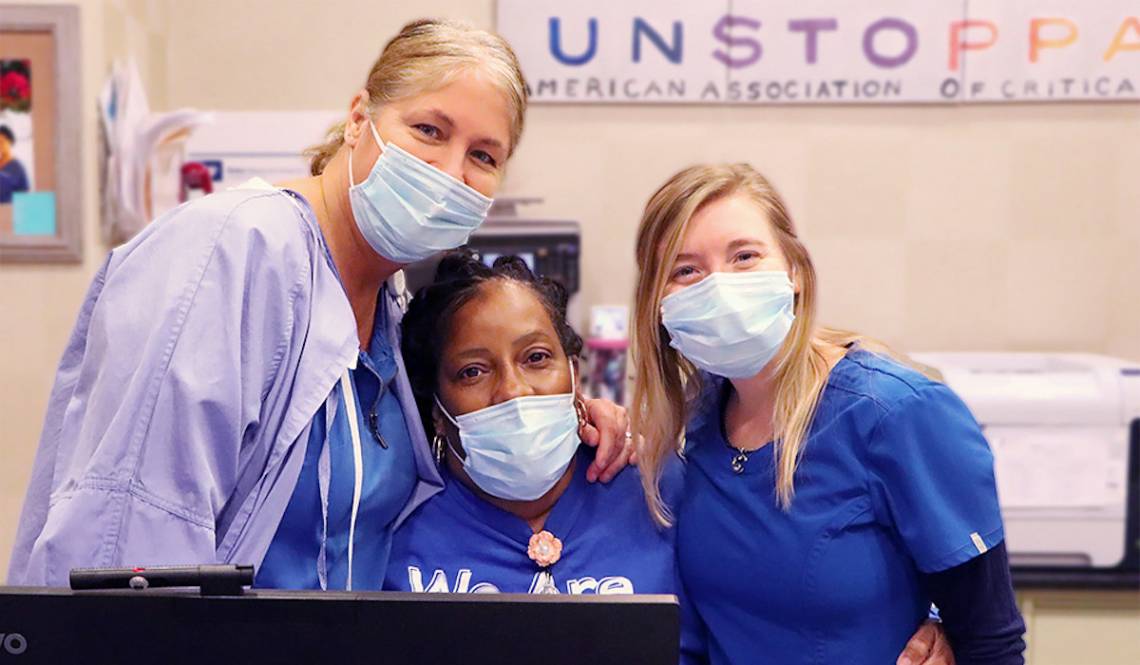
[(410, 210)]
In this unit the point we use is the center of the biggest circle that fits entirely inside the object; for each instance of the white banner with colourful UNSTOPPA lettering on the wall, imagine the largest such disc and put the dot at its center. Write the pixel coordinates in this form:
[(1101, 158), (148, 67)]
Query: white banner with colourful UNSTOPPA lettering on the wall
[(826, 52)]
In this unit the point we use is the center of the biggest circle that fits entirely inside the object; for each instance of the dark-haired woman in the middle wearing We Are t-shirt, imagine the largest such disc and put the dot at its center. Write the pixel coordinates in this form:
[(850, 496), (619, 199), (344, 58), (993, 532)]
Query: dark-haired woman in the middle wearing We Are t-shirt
[(493, 364)]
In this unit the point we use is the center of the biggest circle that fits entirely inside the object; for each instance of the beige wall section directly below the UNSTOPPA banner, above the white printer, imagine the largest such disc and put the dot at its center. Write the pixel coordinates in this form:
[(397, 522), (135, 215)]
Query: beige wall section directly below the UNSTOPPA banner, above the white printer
[(999, 228)]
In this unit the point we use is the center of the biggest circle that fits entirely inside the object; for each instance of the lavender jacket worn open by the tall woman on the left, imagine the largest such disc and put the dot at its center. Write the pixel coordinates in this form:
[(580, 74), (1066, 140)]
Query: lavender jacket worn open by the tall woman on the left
[(181, 413)]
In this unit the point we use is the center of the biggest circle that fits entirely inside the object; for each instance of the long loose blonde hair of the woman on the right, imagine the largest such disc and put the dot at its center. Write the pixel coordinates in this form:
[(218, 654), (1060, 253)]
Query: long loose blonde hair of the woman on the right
[(666, 384)]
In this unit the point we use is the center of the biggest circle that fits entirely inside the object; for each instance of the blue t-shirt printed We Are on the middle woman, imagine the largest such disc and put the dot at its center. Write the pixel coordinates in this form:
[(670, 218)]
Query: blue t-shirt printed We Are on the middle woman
[(457, 542)]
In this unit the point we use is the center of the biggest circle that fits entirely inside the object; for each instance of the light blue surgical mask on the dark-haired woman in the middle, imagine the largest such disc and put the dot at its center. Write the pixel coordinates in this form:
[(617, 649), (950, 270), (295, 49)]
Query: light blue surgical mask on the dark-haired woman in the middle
[(519, 449)]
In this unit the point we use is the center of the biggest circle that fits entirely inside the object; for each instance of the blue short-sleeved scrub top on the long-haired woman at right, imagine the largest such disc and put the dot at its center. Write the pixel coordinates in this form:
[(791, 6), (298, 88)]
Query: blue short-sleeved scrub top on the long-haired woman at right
[(895, 480)]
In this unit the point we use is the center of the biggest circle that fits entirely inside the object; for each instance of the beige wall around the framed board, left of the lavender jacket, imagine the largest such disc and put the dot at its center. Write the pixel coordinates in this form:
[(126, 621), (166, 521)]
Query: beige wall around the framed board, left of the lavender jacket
[(38, 304)]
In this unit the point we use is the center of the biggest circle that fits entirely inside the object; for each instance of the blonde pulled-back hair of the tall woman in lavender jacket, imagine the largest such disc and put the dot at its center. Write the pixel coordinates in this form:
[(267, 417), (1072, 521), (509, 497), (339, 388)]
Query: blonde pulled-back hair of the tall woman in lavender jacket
[(427, 55)]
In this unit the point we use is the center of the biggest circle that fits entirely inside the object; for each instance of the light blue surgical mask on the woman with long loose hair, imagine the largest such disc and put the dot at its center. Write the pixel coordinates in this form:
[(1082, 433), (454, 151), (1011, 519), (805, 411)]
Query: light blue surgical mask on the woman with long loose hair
[(731, 325)]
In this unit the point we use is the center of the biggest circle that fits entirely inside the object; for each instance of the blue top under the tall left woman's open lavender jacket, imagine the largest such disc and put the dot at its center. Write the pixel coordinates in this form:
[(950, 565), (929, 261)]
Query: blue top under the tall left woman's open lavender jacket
[(389, 479)]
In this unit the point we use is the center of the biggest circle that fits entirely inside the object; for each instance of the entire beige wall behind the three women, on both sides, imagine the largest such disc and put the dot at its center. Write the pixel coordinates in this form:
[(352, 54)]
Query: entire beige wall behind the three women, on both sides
[(984, 228)]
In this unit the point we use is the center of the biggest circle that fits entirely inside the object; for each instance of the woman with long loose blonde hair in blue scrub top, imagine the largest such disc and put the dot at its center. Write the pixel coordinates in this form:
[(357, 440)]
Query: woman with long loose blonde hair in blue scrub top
[(833, 493)]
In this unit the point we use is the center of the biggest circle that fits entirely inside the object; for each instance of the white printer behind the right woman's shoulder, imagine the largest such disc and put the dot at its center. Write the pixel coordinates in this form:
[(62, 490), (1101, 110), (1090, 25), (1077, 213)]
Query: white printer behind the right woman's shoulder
[(1060, 427)]
